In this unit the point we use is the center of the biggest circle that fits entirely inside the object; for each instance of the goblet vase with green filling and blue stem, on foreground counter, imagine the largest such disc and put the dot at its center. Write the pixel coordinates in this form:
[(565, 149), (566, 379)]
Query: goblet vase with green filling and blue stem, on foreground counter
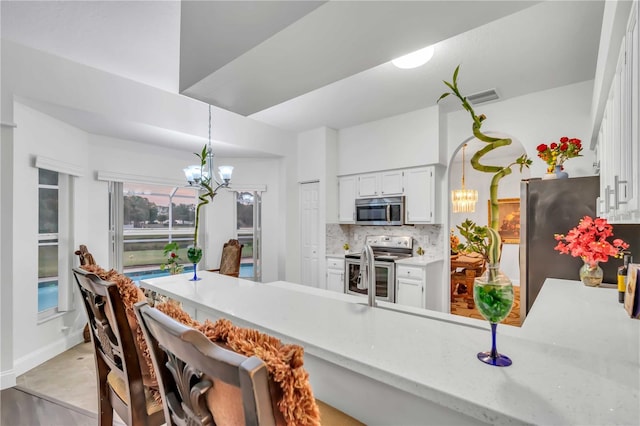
[(493, 296)]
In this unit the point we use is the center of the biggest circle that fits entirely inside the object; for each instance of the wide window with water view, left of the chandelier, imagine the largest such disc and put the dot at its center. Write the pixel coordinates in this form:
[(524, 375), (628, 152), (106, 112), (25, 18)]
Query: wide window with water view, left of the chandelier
[(152, 216)]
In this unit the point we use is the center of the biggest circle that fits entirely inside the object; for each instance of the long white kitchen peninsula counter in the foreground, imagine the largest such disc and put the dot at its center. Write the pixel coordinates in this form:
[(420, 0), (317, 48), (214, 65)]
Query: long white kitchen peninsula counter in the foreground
[(575, 359)]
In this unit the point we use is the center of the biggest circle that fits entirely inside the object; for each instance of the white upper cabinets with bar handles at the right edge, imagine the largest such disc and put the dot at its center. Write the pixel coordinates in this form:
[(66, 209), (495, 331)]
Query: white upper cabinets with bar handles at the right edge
[(617, 141)]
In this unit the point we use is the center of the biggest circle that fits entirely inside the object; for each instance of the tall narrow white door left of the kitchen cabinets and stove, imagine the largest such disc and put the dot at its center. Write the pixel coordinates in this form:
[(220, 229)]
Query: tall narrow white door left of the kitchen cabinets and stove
[(309, 233)]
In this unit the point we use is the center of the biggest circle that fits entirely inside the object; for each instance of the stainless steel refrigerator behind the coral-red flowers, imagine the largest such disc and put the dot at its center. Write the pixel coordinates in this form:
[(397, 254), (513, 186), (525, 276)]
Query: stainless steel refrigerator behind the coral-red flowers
[(550, 207)]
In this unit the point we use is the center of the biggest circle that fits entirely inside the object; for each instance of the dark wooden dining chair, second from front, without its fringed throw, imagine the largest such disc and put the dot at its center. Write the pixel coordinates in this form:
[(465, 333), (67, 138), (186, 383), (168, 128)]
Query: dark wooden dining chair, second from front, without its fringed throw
[(118, 371)]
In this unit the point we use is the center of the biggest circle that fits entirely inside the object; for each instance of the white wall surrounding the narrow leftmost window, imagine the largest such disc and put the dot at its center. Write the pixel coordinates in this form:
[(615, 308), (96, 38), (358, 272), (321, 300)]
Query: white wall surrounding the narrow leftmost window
[(40, 135)]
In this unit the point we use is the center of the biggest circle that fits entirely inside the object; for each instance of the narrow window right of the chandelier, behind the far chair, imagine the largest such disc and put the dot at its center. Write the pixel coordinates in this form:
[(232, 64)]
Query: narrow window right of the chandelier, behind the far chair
[(248, 231)]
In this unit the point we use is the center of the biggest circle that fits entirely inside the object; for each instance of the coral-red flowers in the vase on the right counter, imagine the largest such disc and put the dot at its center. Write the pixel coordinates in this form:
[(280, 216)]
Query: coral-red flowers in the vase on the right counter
[(588, 240)]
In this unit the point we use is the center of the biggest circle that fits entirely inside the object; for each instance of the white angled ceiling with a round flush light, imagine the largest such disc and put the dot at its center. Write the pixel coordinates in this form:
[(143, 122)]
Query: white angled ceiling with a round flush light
[(303, 65)]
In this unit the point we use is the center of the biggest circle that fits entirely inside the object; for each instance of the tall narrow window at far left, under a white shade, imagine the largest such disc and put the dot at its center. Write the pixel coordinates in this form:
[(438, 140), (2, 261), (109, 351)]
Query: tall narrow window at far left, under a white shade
[(54, 242)]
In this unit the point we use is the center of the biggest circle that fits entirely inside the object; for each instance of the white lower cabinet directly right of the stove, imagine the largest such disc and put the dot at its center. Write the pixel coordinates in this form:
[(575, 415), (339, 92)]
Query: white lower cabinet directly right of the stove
[(412, 288)]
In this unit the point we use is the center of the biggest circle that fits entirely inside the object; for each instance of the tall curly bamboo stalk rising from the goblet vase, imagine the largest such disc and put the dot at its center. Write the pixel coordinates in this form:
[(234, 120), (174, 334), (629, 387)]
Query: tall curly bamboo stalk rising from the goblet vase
[(492, 254)]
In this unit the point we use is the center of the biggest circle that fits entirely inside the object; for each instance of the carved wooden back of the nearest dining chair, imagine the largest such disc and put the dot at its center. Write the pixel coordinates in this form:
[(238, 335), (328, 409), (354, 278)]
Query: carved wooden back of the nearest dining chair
[(189, 366)]
